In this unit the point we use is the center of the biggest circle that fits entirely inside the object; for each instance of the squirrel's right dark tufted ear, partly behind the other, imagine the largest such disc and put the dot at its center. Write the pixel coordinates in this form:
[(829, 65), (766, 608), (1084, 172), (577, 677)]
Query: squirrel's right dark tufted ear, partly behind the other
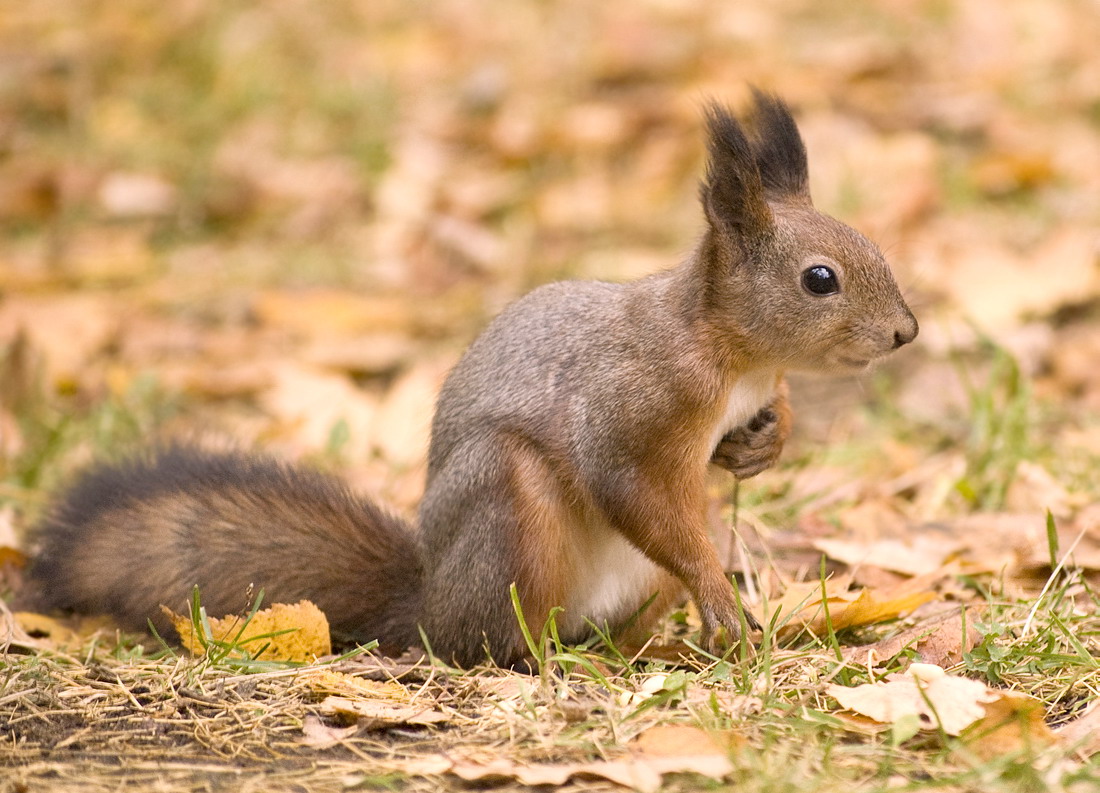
[(778, 149)]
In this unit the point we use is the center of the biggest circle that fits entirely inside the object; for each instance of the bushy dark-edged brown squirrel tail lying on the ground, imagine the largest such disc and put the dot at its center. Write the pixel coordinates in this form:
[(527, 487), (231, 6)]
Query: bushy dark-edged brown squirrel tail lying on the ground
[(131, 536)]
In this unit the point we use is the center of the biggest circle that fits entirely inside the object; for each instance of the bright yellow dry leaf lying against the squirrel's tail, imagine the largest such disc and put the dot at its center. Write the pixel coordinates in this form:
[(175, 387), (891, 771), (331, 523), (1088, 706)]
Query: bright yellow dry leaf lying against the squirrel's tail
[(306, 640)]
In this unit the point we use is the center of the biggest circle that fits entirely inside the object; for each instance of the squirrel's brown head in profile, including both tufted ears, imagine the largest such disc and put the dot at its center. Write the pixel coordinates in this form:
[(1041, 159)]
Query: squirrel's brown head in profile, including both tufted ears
[(798, 289)]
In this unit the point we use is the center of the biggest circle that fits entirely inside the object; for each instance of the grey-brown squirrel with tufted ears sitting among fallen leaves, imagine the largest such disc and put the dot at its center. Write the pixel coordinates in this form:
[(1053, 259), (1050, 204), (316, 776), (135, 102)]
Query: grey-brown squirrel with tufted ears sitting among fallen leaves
[(569, 448)]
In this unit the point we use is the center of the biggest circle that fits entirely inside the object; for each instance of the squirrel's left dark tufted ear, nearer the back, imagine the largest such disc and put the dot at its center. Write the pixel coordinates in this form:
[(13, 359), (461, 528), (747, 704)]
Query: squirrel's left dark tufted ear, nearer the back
[(733, 194)]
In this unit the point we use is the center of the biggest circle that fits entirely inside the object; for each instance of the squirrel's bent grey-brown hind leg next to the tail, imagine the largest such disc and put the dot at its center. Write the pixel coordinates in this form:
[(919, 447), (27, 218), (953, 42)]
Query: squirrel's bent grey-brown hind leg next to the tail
[(513, 533)]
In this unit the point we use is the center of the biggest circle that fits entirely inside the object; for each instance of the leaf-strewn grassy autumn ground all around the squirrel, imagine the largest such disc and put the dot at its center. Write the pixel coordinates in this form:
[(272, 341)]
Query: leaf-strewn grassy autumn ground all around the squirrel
[(280, 224)]
